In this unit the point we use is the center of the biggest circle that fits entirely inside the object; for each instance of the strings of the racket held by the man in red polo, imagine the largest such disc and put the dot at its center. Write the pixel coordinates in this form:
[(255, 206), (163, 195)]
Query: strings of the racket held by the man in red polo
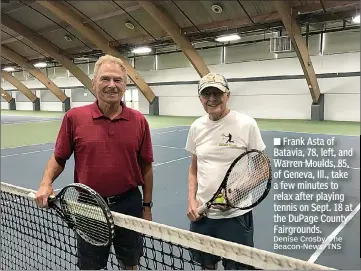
[(88, 219)]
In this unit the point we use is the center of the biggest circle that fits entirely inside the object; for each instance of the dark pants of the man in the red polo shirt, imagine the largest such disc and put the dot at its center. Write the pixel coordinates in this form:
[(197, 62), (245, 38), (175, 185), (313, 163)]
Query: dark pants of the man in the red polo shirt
[(127, 244)]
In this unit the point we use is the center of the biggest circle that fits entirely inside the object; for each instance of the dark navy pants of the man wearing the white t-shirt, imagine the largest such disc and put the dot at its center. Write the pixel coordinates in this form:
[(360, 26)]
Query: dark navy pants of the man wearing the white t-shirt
[(237, 229)]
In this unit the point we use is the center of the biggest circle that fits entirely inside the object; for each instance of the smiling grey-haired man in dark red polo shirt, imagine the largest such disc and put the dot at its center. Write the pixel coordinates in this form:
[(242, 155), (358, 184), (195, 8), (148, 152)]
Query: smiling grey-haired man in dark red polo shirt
[(113, 155)]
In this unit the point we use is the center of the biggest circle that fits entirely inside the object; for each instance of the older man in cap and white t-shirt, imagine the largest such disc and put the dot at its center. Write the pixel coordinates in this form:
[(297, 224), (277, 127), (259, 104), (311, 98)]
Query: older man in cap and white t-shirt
[(214, 141)]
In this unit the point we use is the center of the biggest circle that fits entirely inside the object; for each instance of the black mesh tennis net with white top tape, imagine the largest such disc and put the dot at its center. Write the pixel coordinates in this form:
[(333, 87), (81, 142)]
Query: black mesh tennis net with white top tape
[(36, 238)]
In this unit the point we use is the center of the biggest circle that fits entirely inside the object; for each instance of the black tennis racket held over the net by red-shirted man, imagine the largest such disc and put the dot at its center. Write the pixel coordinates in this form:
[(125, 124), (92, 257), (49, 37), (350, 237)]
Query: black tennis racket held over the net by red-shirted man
[(85, 212)]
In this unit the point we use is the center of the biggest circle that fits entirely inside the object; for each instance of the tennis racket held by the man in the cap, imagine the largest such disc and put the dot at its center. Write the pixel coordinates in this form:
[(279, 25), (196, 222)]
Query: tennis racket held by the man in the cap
[(246, 184)]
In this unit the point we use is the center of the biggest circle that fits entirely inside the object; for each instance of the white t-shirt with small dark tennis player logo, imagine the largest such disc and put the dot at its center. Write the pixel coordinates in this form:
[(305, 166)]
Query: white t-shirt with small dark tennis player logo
[(216, 144)]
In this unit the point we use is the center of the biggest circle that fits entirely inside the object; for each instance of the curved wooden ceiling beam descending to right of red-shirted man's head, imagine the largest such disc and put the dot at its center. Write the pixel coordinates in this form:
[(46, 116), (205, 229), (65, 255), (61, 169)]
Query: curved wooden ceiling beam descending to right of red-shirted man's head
[(98, 39)]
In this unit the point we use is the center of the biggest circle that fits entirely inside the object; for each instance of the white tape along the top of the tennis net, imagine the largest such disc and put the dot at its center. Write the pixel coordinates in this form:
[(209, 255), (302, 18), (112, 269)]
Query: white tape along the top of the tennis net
[(255, 257)]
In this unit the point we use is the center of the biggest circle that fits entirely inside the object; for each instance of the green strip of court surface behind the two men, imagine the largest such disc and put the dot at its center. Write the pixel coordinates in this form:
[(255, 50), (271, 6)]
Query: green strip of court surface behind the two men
[(21, 134)]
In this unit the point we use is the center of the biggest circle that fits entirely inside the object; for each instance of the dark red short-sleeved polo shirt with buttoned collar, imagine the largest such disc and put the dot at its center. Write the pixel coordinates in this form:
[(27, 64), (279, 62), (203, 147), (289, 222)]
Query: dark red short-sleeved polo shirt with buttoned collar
[(106, 152)]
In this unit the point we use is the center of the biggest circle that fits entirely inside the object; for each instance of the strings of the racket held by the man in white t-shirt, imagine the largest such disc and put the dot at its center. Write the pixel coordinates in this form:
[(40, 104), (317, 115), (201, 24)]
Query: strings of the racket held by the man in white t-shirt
[(248, 180)]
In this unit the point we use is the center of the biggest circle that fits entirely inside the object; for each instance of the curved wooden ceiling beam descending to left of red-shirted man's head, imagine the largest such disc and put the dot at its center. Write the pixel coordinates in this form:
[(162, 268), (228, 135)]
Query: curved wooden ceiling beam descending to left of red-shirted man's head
[(49, 48)]
